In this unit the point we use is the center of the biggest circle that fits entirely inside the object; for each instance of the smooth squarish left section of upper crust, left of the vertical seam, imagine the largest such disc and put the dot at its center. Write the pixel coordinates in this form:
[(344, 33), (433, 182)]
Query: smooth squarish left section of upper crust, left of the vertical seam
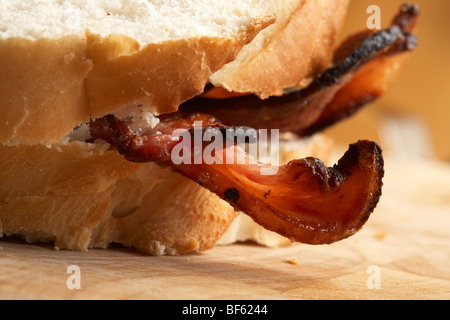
[(42, 88)]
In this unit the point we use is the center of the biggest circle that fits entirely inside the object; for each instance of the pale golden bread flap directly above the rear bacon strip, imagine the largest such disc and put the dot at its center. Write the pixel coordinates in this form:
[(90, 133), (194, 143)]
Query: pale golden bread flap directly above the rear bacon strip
[(290, 52)]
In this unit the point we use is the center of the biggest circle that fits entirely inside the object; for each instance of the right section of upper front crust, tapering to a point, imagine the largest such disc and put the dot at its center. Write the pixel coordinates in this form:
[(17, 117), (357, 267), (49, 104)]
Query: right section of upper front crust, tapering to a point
[(160, 76)]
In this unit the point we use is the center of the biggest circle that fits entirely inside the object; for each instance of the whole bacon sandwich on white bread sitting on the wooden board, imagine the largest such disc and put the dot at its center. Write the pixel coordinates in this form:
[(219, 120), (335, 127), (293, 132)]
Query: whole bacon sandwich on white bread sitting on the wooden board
[(91, 93)]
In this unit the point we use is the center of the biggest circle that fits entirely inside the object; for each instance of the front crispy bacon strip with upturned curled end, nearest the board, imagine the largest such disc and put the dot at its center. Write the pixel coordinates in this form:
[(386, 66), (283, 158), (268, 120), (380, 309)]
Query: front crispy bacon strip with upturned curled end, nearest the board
[(304, 201)]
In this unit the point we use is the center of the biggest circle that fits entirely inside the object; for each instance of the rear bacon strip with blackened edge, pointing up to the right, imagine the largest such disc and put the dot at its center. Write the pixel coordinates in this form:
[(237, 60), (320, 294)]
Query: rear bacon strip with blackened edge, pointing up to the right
[(360, 75)]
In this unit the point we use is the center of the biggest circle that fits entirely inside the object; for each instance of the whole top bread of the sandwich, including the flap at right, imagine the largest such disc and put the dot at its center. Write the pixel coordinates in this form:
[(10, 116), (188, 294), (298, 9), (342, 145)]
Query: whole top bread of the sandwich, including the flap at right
[(63, 63)]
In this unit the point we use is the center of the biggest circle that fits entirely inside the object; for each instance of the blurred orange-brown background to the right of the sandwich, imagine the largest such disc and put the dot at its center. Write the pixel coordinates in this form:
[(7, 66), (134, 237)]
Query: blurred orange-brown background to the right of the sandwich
[(413, 119)]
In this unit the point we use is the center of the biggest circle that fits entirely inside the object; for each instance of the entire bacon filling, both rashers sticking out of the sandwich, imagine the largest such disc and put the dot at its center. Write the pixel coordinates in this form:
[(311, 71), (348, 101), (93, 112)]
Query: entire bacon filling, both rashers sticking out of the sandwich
[(305, 200)]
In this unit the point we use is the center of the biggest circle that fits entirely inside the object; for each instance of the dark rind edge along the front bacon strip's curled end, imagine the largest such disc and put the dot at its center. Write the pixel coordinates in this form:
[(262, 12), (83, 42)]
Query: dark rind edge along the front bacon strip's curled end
[(324, 233)]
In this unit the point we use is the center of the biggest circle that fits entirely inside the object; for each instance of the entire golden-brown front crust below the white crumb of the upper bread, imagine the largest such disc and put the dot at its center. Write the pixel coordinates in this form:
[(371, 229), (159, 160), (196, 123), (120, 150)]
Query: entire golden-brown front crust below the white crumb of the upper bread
[(50, 86)]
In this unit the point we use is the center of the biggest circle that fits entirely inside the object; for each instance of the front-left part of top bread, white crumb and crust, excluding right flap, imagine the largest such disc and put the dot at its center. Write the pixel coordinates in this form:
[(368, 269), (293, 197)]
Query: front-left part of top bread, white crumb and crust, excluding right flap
[(55, 75)]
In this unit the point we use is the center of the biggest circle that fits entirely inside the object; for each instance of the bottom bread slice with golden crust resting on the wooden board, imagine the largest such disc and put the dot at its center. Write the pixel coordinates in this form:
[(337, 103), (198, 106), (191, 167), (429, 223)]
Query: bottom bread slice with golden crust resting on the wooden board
[(80, 196)]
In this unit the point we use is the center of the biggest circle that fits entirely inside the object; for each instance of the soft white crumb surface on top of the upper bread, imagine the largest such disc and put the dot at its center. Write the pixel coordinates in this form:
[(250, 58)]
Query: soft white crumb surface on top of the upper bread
[(168, 20)]
